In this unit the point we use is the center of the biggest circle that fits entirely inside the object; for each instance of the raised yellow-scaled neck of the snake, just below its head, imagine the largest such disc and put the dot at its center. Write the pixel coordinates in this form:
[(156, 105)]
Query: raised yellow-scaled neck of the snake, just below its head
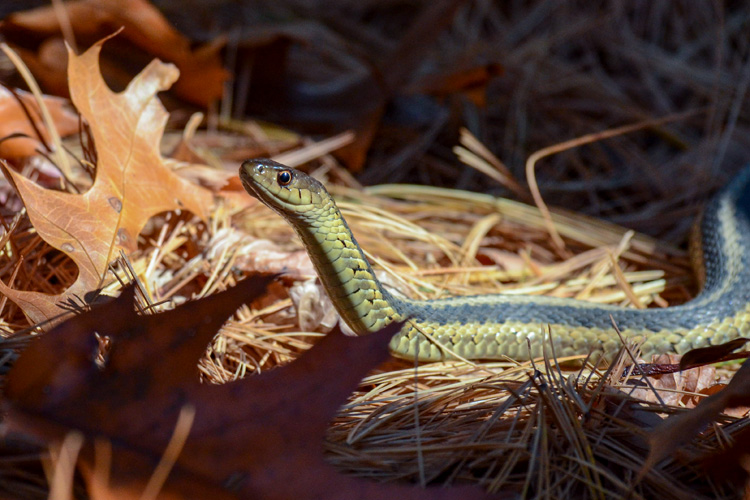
[(343, 268)]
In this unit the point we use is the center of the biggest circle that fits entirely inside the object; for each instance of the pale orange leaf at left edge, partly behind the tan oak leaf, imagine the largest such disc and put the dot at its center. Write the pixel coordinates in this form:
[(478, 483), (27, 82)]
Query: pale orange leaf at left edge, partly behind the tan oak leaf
[(13, 120)]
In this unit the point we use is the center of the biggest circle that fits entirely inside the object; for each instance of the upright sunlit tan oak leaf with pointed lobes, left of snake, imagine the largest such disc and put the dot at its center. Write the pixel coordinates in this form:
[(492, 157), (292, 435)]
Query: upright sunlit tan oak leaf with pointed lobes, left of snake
[(132, 182)]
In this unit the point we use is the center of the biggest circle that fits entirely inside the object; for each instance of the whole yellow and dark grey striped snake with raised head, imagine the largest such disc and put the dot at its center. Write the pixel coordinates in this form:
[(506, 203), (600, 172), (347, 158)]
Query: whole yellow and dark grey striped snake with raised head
[(518, 327)]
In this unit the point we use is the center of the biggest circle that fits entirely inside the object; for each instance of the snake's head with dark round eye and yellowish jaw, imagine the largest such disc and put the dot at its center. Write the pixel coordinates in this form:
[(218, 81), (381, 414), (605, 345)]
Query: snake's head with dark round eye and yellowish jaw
[(283, 189)]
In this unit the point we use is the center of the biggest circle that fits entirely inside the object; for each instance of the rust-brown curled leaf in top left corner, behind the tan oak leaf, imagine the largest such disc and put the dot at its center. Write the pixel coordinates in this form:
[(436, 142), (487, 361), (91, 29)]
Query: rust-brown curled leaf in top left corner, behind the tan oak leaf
[(202, 75)]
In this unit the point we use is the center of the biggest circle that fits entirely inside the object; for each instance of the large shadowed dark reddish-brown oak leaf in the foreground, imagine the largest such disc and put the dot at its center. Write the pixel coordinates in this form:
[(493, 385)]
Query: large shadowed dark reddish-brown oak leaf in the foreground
[(260, 438)]
